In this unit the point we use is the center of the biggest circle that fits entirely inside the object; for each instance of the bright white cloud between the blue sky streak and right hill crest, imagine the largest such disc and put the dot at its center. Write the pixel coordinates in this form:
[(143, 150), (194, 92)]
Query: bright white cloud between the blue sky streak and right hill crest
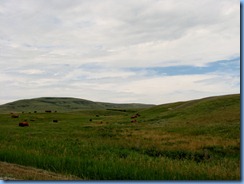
[(160, 90)]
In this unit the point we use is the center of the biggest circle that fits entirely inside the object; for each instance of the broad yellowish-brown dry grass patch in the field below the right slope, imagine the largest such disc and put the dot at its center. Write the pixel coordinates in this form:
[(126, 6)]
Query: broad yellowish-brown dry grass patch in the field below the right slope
[(172, 141)]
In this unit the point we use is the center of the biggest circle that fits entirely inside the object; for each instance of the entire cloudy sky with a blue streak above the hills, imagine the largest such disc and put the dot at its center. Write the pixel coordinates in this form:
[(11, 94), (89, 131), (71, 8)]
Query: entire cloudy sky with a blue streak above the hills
[(142, 51)]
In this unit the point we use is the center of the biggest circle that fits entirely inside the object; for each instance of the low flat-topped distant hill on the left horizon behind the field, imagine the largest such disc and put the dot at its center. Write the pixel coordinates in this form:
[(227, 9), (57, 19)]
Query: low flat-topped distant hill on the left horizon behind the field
[(63, 105)]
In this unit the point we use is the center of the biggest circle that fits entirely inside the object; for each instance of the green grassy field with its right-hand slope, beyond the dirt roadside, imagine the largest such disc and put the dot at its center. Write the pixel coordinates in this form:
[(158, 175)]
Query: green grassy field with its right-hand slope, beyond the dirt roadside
[(194, 140)]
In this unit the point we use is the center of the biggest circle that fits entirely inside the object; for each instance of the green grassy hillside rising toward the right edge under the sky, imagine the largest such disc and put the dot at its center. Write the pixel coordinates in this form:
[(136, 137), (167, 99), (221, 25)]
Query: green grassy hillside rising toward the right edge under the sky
[(188, 109)]
